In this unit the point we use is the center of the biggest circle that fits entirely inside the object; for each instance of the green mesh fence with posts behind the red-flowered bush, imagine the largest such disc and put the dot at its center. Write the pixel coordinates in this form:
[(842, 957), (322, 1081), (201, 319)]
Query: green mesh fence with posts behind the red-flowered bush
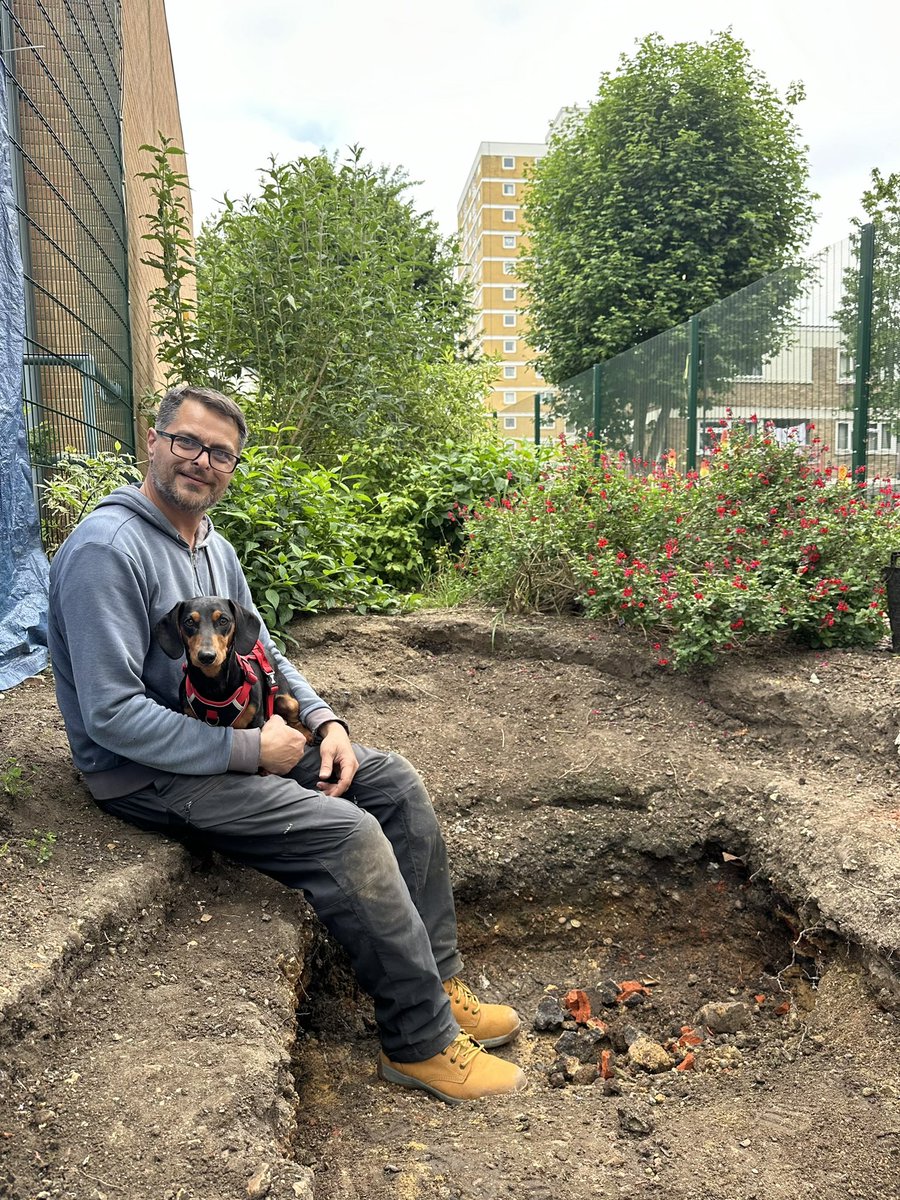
[(811, 355)]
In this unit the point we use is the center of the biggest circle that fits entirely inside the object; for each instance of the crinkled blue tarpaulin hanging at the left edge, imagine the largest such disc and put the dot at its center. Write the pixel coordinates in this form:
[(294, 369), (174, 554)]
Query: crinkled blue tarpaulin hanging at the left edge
[(23, 565)]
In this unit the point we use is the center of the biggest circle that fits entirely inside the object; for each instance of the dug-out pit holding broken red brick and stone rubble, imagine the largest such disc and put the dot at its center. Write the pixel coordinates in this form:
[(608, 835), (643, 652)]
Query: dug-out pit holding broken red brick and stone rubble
[(788, 1087)]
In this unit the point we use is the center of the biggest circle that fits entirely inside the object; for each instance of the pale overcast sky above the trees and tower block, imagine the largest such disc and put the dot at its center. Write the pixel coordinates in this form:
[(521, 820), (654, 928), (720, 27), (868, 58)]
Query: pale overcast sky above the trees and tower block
[(422, 86)]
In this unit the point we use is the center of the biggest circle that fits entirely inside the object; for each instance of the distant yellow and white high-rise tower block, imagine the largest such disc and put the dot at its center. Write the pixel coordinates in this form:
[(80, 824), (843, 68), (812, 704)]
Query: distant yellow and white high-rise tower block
[(493, 242)]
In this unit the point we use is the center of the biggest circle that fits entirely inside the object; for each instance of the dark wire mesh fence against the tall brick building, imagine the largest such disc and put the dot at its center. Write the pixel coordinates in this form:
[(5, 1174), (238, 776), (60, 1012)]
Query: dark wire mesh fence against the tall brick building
[(64, 75)]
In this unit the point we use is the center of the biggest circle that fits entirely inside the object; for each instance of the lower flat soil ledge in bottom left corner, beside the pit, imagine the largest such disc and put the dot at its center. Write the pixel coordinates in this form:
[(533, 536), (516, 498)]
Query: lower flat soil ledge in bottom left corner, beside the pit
[(164, 1071)]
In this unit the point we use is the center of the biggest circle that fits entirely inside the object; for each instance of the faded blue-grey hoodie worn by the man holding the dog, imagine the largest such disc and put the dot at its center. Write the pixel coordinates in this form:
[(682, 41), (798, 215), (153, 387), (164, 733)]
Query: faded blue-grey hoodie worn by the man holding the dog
[(119, 573)]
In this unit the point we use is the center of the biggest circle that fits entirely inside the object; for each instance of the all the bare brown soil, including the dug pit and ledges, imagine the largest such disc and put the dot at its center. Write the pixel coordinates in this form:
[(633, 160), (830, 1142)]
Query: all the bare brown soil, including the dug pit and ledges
[(177, 1029)]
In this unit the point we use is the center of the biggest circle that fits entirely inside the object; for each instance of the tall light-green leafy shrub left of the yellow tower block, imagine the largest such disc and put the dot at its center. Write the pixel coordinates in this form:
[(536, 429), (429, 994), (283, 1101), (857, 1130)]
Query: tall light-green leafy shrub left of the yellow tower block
[(335, 307)]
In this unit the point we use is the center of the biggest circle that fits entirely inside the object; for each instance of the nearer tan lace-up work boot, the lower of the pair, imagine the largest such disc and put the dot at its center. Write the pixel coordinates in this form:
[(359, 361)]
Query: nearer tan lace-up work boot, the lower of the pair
[(465, 1071)]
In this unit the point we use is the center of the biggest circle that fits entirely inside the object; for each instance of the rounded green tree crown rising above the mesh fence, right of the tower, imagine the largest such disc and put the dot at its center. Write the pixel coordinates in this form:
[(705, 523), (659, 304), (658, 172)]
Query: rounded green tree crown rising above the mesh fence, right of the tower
[(683, 182)]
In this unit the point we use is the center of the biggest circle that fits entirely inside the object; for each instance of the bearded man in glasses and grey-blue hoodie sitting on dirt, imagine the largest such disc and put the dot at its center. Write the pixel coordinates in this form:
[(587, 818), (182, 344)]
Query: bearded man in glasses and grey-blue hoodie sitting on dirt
[(351, 826)]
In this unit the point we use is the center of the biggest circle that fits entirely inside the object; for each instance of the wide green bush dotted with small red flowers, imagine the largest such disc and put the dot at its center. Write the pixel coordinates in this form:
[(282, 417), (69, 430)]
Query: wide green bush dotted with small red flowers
[(759, 542)]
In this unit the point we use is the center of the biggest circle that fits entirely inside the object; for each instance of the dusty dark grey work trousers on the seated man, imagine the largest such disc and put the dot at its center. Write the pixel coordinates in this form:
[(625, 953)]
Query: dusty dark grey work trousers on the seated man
[(371, 863)]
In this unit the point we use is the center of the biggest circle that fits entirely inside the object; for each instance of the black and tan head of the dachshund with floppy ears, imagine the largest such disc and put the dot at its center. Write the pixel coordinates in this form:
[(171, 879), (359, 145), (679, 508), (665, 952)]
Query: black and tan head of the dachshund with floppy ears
[(207, 629)]
